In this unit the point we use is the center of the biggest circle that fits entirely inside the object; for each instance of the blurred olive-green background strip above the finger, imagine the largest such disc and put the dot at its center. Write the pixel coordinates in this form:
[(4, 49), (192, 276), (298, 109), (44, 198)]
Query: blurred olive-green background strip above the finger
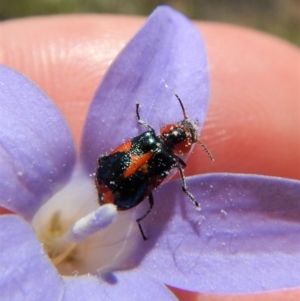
[(278, 17)]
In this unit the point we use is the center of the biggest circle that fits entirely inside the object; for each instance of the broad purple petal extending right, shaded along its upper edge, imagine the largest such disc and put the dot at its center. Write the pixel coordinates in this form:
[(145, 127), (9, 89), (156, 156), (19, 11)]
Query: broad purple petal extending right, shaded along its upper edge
[(245, 238)]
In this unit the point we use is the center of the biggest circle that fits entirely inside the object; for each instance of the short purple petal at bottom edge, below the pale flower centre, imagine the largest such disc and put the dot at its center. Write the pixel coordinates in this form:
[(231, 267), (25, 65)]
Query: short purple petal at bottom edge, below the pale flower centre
[(129, 285)]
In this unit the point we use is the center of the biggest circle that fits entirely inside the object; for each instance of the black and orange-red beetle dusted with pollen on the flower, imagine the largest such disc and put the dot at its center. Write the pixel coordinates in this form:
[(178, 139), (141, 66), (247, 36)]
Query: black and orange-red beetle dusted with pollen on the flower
[(130, 173)]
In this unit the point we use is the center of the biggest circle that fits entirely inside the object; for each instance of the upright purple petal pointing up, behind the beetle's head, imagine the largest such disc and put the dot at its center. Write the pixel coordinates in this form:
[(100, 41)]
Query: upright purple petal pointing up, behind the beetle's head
[(166, 56)]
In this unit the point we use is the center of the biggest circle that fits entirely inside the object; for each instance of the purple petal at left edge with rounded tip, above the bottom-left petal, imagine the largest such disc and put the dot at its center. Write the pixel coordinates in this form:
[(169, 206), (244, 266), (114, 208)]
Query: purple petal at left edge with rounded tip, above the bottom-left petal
[(37, 153)]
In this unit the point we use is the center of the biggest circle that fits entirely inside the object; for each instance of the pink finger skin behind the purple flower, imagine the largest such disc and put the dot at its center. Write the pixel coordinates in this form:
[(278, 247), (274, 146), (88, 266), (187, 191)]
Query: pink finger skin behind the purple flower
[(253, 119)]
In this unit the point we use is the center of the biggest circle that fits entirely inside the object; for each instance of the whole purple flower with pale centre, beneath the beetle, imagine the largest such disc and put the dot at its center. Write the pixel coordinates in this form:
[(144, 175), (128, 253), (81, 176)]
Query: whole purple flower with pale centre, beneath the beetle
[(245, 238)]
